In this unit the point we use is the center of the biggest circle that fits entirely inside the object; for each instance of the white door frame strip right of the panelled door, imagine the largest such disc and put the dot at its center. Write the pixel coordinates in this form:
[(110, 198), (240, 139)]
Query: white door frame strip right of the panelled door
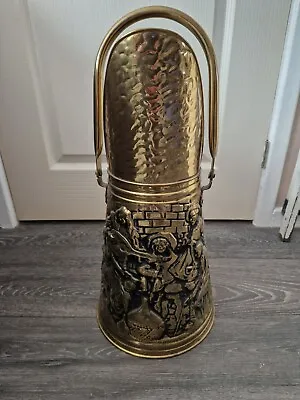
[(267, 214)]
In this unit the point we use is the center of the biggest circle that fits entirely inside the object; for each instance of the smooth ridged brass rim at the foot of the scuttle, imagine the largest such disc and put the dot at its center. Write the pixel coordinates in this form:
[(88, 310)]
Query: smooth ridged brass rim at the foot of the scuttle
[(164, 349)]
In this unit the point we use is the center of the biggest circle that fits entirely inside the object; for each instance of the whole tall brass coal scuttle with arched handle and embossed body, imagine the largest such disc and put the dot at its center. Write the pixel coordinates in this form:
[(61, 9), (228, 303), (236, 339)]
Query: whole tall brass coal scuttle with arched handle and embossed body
[(156, 298)]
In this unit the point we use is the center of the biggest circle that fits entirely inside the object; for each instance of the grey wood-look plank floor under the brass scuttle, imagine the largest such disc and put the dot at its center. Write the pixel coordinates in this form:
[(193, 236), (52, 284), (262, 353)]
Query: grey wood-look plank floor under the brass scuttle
[(51, 348)]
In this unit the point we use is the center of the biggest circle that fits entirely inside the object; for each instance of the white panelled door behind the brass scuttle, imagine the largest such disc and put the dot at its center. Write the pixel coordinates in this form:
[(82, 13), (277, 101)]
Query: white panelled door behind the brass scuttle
[(47, 53)]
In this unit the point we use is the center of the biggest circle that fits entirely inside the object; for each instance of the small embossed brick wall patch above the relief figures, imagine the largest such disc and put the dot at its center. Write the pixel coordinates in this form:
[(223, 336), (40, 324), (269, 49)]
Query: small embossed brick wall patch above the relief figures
[(173, 217)]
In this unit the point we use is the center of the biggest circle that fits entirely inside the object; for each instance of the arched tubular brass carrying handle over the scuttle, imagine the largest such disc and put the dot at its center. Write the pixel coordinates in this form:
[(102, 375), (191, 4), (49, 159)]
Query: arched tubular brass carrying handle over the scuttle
[(200, 34)]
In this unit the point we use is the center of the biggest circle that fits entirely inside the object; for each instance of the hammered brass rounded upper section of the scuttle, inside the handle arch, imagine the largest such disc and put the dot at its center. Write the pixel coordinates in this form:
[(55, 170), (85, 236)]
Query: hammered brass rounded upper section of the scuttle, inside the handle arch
[(153, 108)]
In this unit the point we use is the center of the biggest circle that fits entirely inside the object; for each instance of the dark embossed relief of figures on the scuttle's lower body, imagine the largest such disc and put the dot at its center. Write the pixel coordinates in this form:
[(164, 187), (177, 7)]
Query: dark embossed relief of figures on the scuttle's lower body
[(154, 284)]
